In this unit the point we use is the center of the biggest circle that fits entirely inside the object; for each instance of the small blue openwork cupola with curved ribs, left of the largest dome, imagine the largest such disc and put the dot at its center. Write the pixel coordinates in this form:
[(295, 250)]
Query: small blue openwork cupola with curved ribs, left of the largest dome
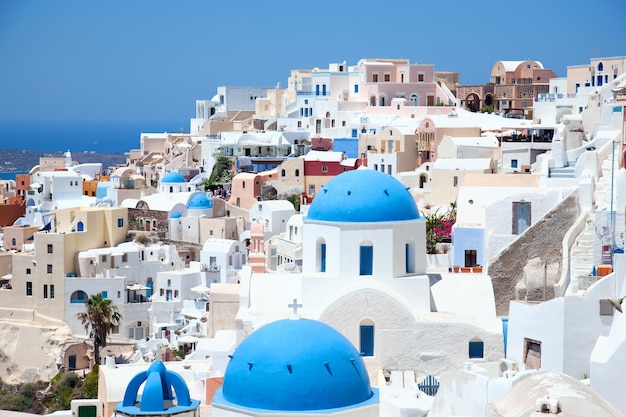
[(157, 397)]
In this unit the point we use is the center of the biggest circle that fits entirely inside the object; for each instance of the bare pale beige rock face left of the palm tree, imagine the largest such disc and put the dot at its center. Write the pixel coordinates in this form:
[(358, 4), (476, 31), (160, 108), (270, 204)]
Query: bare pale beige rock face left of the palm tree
[(29, 352)]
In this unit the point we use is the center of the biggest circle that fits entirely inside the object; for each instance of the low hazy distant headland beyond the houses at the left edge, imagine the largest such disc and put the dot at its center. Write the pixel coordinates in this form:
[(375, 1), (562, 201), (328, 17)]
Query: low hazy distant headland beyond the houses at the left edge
[(18, 160)]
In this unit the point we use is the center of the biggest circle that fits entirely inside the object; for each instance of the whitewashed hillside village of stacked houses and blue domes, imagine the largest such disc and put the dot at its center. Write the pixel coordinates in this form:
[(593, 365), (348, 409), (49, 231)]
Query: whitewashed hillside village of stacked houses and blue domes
[(324, 227)]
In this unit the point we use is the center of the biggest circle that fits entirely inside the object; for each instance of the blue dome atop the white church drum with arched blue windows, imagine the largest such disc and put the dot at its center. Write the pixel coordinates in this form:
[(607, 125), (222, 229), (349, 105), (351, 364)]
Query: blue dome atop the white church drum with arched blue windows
[(363, 195)]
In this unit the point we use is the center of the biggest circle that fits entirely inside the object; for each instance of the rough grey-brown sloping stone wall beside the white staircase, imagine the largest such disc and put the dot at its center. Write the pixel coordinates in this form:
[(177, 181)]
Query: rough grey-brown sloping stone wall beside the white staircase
[(536, 257)]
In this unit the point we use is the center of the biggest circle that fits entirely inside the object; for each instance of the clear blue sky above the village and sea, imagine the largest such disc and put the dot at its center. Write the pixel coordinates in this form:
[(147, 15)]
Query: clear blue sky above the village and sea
[(151, 59)]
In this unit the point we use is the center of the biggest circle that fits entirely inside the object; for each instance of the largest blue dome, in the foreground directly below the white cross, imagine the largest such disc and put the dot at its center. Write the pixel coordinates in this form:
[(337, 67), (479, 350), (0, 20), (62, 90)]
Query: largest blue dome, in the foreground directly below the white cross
[(296, 365)]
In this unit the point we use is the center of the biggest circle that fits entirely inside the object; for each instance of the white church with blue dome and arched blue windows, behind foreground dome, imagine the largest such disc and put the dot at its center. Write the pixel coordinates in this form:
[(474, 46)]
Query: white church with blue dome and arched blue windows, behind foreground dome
[(364, 272)]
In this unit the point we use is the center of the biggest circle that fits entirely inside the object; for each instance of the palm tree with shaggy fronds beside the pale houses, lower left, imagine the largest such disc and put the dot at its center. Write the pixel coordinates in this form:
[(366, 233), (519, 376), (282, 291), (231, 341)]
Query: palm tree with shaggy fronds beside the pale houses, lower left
[(99, 320)]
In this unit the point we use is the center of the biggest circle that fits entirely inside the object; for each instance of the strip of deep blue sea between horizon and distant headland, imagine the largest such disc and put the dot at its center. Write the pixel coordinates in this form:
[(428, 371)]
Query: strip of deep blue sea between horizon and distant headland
[(81, 136)]
